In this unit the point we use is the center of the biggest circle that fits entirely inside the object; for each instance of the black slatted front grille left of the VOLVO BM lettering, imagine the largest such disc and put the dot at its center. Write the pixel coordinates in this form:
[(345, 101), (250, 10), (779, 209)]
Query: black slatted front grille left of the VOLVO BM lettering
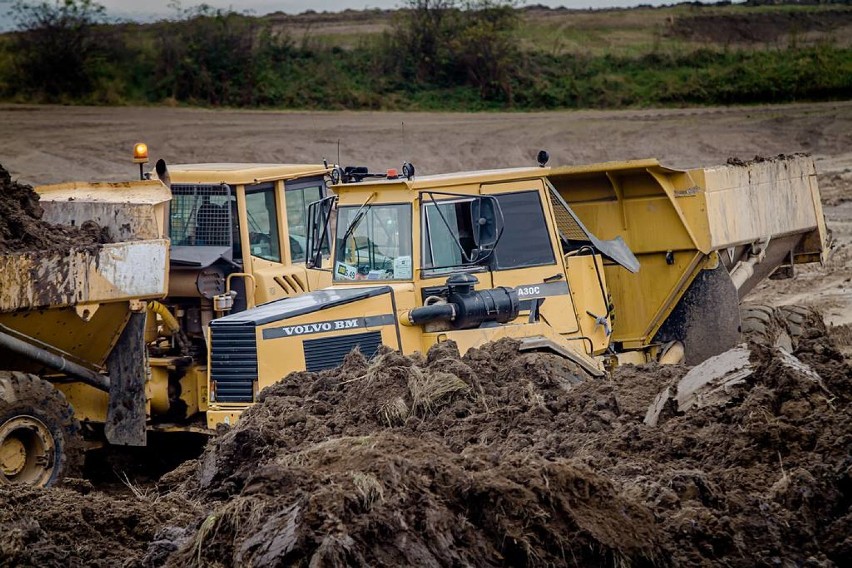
[(233, 362)]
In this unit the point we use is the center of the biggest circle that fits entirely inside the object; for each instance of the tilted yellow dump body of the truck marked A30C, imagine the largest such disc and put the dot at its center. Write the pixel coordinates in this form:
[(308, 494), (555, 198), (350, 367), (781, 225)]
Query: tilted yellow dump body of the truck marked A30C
[(703, 237)]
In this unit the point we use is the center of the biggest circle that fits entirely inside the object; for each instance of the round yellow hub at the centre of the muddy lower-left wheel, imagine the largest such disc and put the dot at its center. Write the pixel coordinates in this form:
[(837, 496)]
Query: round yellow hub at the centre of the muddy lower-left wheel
[(26, 450)]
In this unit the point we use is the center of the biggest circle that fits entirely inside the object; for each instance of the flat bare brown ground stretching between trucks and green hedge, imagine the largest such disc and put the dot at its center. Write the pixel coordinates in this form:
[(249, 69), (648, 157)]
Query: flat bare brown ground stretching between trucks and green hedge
[(52, 144)]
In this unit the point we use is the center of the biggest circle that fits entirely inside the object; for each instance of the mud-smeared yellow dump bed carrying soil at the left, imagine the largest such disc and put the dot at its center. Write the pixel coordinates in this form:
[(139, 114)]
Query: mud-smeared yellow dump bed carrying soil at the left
[(77, 301)]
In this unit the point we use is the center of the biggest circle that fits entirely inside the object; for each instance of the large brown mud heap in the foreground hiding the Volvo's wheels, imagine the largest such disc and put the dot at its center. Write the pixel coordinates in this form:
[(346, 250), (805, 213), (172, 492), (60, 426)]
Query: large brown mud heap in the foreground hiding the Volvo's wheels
[(500, 458)]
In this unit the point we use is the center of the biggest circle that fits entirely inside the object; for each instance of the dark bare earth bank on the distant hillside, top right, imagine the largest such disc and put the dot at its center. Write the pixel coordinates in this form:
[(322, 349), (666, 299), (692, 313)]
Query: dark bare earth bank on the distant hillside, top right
[(758, 27)]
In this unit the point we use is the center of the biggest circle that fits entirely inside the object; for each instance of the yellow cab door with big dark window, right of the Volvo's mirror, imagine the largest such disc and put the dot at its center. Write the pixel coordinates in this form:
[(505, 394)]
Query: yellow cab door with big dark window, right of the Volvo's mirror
[(528, 255)]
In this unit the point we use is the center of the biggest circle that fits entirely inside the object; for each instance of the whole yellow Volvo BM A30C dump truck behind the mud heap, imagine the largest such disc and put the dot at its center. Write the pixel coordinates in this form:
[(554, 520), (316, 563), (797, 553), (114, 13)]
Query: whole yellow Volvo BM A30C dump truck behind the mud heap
[(603, 264)]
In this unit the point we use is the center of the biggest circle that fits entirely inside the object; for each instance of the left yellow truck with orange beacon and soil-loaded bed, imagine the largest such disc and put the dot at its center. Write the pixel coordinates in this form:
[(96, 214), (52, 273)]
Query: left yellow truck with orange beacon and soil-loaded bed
[(105, 346)]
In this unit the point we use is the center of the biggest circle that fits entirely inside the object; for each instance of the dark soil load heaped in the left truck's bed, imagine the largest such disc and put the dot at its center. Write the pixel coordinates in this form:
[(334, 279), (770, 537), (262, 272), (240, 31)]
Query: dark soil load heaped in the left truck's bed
[(21, 227)]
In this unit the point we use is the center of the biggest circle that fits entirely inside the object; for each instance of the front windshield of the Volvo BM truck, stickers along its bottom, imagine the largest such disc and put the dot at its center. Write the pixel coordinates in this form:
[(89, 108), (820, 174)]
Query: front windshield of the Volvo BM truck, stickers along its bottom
[(373, 243)]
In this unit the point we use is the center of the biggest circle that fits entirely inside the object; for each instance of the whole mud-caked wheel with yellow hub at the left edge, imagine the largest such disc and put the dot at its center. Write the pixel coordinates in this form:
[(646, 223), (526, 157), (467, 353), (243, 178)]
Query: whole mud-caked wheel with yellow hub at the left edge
[(40, 440)]
